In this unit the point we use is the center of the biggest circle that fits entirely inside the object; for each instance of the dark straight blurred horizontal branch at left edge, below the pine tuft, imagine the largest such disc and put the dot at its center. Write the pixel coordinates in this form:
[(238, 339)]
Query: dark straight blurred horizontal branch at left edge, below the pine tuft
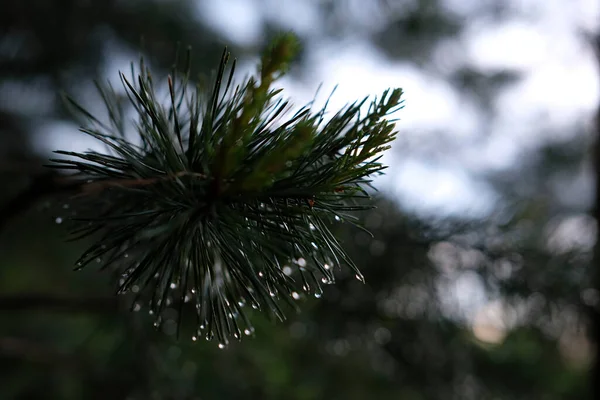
[(44, 302)]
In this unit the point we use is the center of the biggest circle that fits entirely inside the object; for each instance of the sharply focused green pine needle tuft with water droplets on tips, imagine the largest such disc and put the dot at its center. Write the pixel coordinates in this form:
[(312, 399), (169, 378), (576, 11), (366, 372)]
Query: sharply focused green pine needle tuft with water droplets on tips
[(220, 201)]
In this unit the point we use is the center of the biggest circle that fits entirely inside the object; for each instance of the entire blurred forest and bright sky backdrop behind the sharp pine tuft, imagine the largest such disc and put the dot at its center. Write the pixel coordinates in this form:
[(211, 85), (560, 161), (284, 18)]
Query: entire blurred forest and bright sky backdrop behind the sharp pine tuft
[(478, 279)]
